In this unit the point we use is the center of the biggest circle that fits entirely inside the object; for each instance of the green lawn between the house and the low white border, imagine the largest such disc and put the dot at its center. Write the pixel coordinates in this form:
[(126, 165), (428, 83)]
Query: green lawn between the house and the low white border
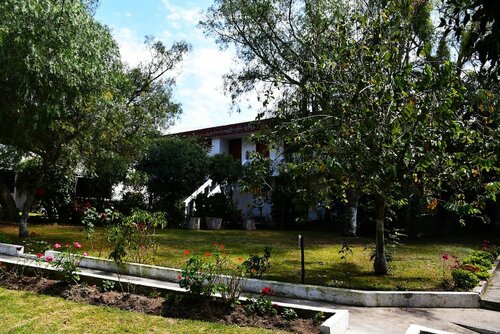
[(417, 264)]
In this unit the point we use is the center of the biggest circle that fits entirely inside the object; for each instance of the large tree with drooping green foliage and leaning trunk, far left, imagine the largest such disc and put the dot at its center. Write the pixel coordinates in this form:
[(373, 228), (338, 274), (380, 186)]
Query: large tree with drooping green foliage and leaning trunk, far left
[(67, 98)]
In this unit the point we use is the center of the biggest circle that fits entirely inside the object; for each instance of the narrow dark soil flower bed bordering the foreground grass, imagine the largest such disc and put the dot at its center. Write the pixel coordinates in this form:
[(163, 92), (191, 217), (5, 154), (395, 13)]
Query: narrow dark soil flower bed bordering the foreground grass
[(183, 306)]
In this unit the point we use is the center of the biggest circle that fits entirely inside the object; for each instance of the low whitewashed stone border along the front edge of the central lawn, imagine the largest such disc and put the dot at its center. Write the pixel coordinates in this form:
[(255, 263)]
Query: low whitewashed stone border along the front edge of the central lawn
[(309, 292)]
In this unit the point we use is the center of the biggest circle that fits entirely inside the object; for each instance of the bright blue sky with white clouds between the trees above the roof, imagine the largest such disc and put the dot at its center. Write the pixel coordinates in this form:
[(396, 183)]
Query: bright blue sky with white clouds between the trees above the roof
[(199, 78)]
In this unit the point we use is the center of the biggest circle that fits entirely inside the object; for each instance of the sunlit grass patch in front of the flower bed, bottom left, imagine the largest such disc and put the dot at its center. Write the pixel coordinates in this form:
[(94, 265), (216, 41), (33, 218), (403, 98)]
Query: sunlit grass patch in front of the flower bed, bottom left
[(26, 312)]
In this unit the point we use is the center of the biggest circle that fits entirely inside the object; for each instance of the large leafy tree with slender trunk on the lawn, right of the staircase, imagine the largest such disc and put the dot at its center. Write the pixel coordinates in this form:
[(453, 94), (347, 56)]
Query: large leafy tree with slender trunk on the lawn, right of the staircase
[(359, 100)]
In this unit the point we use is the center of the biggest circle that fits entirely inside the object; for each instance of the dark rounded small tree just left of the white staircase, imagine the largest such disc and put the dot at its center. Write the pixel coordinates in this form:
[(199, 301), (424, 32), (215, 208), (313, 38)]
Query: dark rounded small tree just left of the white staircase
[(174, 167)]
